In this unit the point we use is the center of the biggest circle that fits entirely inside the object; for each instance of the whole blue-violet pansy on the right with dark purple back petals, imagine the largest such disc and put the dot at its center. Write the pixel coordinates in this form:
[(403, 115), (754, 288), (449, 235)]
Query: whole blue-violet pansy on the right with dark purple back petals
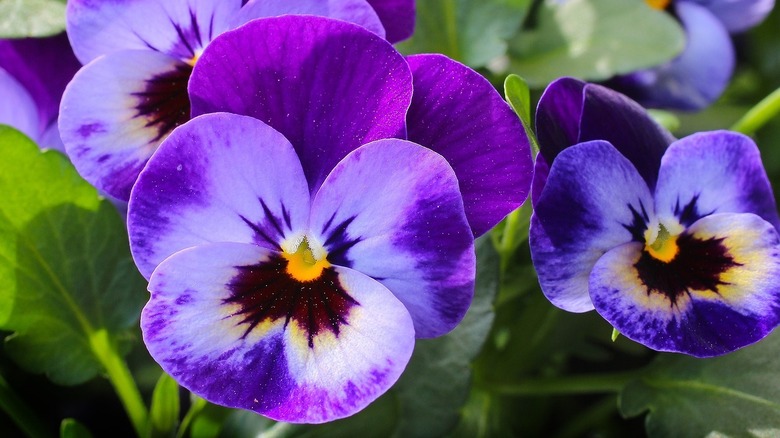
[(674, 243)]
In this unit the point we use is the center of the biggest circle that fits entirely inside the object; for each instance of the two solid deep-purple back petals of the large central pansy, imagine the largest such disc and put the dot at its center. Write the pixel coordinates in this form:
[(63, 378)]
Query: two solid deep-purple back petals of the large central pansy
[(331, 86)]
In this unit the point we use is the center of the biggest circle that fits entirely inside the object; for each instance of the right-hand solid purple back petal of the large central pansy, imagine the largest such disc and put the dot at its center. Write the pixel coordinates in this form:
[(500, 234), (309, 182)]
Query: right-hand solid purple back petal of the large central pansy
[(457, 113)]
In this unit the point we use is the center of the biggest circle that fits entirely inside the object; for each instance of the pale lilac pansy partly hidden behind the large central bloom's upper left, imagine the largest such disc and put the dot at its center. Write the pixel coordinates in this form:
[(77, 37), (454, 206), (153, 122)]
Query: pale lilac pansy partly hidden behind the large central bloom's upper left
[(138, 57)]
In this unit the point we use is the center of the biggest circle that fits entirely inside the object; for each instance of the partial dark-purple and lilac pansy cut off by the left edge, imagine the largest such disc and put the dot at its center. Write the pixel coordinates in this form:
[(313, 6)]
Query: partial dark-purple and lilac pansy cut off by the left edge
[(33, 75)]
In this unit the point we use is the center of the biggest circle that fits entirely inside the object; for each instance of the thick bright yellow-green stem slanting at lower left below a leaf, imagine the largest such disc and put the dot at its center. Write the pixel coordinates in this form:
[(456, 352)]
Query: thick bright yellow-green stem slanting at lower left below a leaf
[(120, 377)]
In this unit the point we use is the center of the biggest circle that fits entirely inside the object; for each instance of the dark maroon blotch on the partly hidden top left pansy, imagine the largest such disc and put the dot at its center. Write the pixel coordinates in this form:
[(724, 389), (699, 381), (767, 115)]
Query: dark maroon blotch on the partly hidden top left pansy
[(165, 103)]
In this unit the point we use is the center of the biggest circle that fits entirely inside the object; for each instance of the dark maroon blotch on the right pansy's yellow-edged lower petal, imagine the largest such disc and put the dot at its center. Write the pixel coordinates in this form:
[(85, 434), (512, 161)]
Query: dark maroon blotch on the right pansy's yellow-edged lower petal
[(697, 266)]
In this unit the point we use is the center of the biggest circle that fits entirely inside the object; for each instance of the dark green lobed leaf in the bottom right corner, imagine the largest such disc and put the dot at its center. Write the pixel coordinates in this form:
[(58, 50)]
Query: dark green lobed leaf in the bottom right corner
[(733, 395)]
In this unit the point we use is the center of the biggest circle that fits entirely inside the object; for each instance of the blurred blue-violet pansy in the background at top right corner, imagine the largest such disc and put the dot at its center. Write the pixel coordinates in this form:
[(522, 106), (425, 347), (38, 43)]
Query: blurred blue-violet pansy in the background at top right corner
[(698, 76)]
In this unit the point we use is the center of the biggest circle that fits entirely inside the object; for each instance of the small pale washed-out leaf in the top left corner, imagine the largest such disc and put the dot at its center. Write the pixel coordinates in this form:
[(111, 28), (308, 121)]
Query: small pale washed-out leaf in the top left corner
[(31, 18)]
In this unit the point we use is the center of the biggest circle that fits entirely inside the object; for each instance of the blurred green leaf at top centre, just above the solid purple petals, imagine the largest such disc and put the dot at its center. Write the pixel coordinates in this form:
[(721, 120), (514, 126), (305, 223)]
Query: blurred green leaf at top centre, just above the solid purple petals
[(471, 31)]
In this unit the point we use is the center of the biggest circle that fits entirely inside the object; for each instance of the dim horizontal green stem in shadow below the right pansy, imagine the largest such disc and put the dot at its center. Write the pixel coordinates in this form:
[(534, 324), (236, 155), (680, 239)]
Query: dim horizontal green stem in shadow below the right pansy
[(583, 384)]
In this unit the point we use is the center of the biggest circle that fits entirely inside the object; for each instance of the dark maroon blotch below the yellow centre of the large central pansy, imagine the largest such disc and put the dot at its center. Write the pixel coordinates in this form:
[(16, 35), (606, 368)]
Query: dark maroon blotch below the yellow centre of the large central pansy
[(266, 292)]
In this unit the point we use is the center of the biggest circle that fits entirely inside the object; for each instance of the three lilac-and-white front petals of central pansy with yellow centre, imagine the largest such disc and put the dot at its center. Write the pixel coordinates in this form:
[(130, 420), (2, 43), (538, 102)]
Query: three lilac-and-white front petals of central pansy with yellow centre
[(300, 305)]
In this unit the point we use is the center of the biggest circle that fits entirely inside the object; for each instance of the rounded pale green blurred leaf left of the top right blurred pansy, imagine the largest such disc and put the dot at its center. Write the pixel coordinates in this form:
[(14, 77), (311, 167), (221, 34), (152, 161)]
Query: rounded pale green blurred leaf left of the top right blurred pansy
[(594, 40)]
